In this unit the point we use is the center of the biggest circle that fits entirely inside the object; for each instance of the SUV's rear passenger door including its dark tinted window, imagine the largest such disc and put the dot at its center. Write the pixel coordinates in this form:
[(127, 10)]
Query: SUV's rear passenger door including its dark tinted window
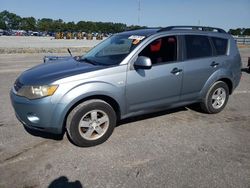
[(199, 64)]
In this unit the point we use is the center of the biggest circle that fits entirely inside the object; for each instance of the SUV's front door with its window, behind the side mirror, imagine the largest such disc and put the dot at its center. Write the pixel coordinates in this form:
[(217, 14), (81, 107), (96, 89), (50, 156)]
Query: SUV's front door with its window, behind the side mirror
[(159, 86)]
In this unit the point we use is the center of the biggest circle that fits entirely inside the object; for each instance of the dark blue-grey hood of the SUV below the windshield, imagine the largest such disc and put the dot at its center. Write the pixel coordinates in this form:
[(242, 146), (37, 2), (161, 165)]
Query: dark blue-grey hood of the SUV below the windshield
[(47, 73)]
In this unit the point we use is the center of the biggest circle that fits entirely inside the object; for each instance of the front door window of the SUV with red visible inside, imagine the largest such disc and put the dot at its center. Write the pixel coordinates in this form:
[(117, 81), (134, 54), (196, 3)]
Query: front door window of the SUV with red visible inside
[(161, 50)]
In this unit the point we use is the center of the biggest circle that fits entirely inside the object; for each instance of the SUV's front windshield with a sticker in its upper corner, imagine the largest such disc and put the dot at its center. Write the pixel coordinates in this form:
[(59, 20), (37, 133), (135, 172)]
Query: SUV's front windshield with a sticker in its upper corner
[(113, 50)]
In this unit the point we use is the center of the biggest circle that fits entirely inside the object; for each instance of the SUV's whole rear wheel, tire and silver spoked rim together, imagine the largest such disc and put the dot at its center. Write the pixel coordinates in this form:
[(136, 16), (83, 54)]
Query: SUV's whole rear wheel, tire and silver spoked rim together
[(216, 98)]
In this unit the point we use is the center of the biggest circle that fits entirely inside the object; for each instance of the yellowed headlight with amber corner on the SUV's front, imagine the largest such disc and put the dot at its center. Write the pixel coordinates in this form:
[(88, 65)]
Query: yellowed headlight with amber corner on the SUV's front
[(36, 92)]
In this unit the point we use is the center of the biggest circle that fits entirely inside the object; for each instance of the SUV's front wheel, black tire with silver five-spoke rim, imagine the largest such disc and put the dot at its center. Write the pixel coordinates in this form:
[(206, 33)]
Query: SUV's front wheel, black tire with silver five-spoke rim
[(77, 134)]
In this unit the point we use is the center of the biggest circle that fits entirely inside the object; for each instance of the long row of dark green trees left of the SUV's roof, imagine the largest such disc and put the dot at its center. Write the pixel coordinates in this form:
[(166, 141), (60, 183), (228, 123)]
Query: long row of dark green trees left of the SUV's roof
[(12, 21)]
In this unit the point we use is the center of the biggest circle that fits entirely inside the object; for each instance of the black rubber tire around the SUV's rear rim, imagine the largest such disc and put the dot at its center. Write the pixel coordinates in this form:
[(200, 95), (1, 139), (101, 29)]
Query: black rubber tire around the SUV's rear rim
[(208, 103)]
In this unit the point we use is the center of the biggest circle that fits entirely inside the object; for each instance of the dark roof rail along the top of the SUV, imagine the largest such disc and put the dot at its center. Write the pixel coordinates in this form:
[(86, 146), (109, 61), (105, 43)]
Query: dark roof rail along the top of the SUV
[(200, 28)]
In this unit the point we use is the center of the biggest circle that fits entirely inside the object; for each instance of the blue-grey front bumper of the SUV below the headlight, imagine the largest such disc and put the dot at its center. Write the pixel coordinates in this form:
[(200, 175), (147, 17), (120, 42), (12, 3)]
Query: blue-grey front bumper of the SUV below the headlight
[(36, 114)]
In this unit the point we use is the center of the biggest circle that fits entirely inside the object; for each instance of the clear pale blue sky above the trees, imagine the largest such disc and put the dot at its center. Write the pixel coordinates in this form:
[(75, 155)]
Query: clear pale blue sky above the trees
[(225, 14)]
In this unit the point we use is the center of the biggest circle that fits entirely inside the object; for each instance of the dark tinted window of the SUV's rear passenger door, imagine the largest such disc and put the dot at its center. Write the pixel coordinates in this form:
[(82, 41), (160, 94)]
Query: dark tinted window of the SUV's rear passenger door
[(197, 46)]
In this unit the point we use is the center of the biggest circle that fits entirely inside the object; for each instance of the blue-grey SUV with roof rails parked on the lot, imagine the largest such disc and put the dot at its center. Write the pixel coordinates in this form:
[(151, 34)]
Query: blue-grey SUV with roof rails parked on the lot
[(128, 74)]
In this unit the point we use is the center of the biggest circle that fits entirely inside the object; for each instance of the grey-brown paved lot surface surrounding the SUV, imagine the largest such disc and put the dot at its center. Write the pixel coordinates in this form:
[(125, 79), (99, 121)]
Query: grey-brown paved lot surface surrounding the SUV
[(175, 148)]
